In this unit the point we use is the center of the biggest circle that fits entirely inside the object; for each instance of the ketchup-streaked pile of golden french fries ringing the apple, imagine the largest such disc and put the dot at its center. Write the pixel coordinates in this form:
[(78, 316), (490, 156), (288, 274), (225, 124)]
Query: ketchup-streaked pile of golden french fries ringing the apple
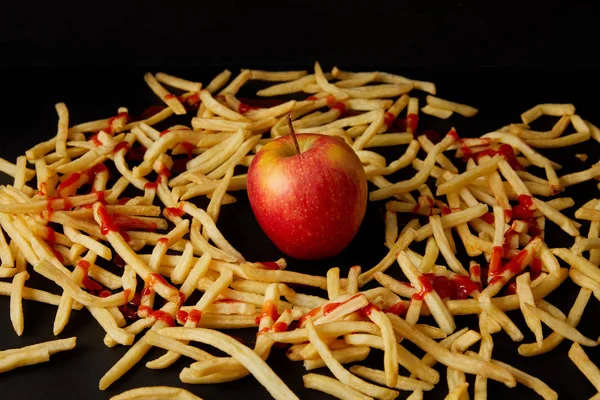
[(64, 210)]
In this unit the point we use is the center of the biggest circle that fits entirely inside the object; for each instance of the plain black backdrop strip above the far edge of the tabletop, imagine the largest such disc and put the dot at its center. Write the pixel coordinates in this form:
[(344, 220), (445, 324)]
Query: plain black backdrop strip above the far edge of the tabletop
[(230, 32)]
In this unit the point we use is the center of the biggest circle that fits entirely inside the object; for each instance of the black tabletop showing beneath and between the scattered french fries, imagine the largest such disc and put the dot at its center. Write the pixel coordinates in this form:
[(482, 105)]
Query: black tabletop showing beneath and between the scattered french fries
[(500, 93)]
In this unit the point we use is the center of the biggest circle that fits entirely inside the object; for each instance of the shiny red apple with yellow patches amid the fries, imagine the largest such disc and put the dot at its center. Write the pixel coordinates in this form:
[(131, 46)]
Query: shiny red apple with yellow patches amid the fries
[(311, 203)]
